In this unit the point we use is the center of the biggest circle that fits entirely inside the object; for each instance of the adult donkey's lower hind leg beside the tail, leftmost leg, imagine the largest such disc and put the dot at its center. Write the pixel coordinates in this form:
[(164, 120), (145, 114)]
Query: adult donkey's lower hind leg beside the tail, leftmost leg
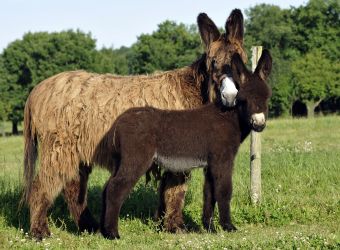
[(44, 190)]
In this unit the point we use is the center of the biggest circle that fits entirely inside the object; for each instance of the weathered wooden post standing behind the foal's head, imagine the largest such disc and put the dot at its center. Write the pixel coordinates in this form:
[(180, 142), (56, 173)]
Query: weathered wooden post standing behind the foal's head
[(255, 146)]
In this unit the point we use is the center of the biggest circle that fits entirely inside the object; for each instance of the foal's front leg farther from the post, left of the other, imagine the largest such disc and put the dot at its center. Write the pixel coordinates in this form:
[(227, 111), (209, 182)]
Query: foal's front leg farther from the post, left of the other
[(209, 201)]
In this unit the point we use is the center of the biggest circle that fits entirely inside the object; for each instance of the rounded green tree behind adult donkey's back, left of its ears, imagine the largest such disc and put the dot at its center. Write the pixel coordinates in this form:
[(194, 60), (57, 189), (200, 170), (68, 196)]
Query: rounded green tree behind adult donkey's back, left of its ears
[(170, 46)]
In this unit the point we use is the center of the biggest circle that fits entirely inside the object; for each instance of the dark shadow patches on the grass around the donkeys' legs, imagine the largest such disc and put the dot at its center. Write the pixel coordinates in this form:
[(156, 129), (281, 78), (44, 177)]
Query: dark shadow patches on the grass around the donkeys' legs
[(140, 204)]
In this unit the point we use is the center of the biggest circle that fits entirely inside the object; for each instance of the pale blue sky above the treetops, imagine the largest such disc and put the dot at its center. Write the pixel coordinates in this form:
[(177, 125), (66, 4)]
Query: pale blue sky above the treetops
[(113, 23)]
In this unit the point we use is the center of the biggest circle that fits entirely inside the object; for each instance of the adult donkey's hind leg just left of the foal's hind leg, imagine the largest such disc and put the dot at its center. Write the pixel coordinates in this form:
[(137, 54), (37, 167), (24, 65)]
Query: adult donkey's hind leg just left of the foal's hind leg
[(75, 193)]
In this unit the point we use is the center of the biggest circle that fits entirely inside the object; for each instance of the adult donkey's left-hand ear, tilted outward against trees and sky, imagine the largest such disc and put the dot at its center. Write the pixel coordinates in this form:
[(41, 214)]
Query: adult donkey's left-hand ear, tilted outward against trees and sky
[(208, 30)]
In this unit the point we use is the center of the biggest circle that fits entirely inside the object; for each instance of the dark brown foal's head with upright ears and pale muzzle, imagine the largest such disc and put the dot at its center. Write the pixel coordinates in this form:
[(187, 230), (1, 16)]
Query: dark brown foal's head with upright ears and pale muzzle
[(254, 92)]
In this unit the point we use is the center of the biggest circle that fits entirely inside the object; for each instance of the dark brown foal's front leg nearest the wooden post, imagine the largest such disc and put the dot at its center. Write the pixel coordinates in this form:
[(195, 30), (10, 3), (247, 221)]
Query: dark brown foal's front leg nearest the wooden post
[(223, 188)]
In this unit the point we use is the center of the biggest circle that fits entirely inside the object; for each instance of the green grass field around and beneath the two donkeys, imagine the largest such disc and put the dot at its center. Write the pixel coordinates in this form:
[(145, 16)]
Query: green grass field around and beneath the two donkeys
[(300, 206)]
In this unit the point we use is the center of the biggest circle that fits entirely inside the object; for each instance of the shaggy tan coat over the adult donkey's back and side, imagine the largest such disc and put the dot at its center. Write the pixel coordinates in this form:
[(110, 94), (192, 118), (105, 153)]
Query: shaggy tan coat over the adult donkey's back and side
[(79, 107)]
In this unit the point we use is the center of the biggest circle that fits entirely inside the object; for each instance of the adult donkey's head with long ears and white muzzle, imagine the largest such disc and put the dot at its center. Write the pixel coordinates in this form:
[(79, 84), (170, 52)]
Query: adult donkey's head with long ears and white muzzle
[(219, 49)]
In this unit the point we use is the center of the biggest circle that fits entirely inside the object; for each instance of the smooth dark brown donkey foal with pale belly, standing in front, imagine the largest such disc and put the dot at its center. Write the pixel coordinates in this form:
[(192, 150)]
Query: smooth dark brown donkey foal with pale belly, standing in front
[(179, 140)]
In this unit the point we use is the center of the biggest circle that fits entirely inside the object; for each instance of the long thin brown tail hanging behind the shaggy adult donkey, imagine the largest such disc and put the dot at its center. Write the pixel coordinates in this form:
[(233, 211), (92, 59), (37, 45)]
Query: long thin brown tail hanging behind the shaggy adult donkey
[(30, 153)]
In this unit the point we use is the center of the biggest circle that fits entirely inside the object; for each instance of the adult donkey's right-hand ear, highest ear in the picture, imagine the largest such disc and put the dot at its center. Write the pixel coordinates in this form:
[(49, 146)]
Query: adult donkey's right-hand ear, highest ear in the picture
[(234, 26)]
